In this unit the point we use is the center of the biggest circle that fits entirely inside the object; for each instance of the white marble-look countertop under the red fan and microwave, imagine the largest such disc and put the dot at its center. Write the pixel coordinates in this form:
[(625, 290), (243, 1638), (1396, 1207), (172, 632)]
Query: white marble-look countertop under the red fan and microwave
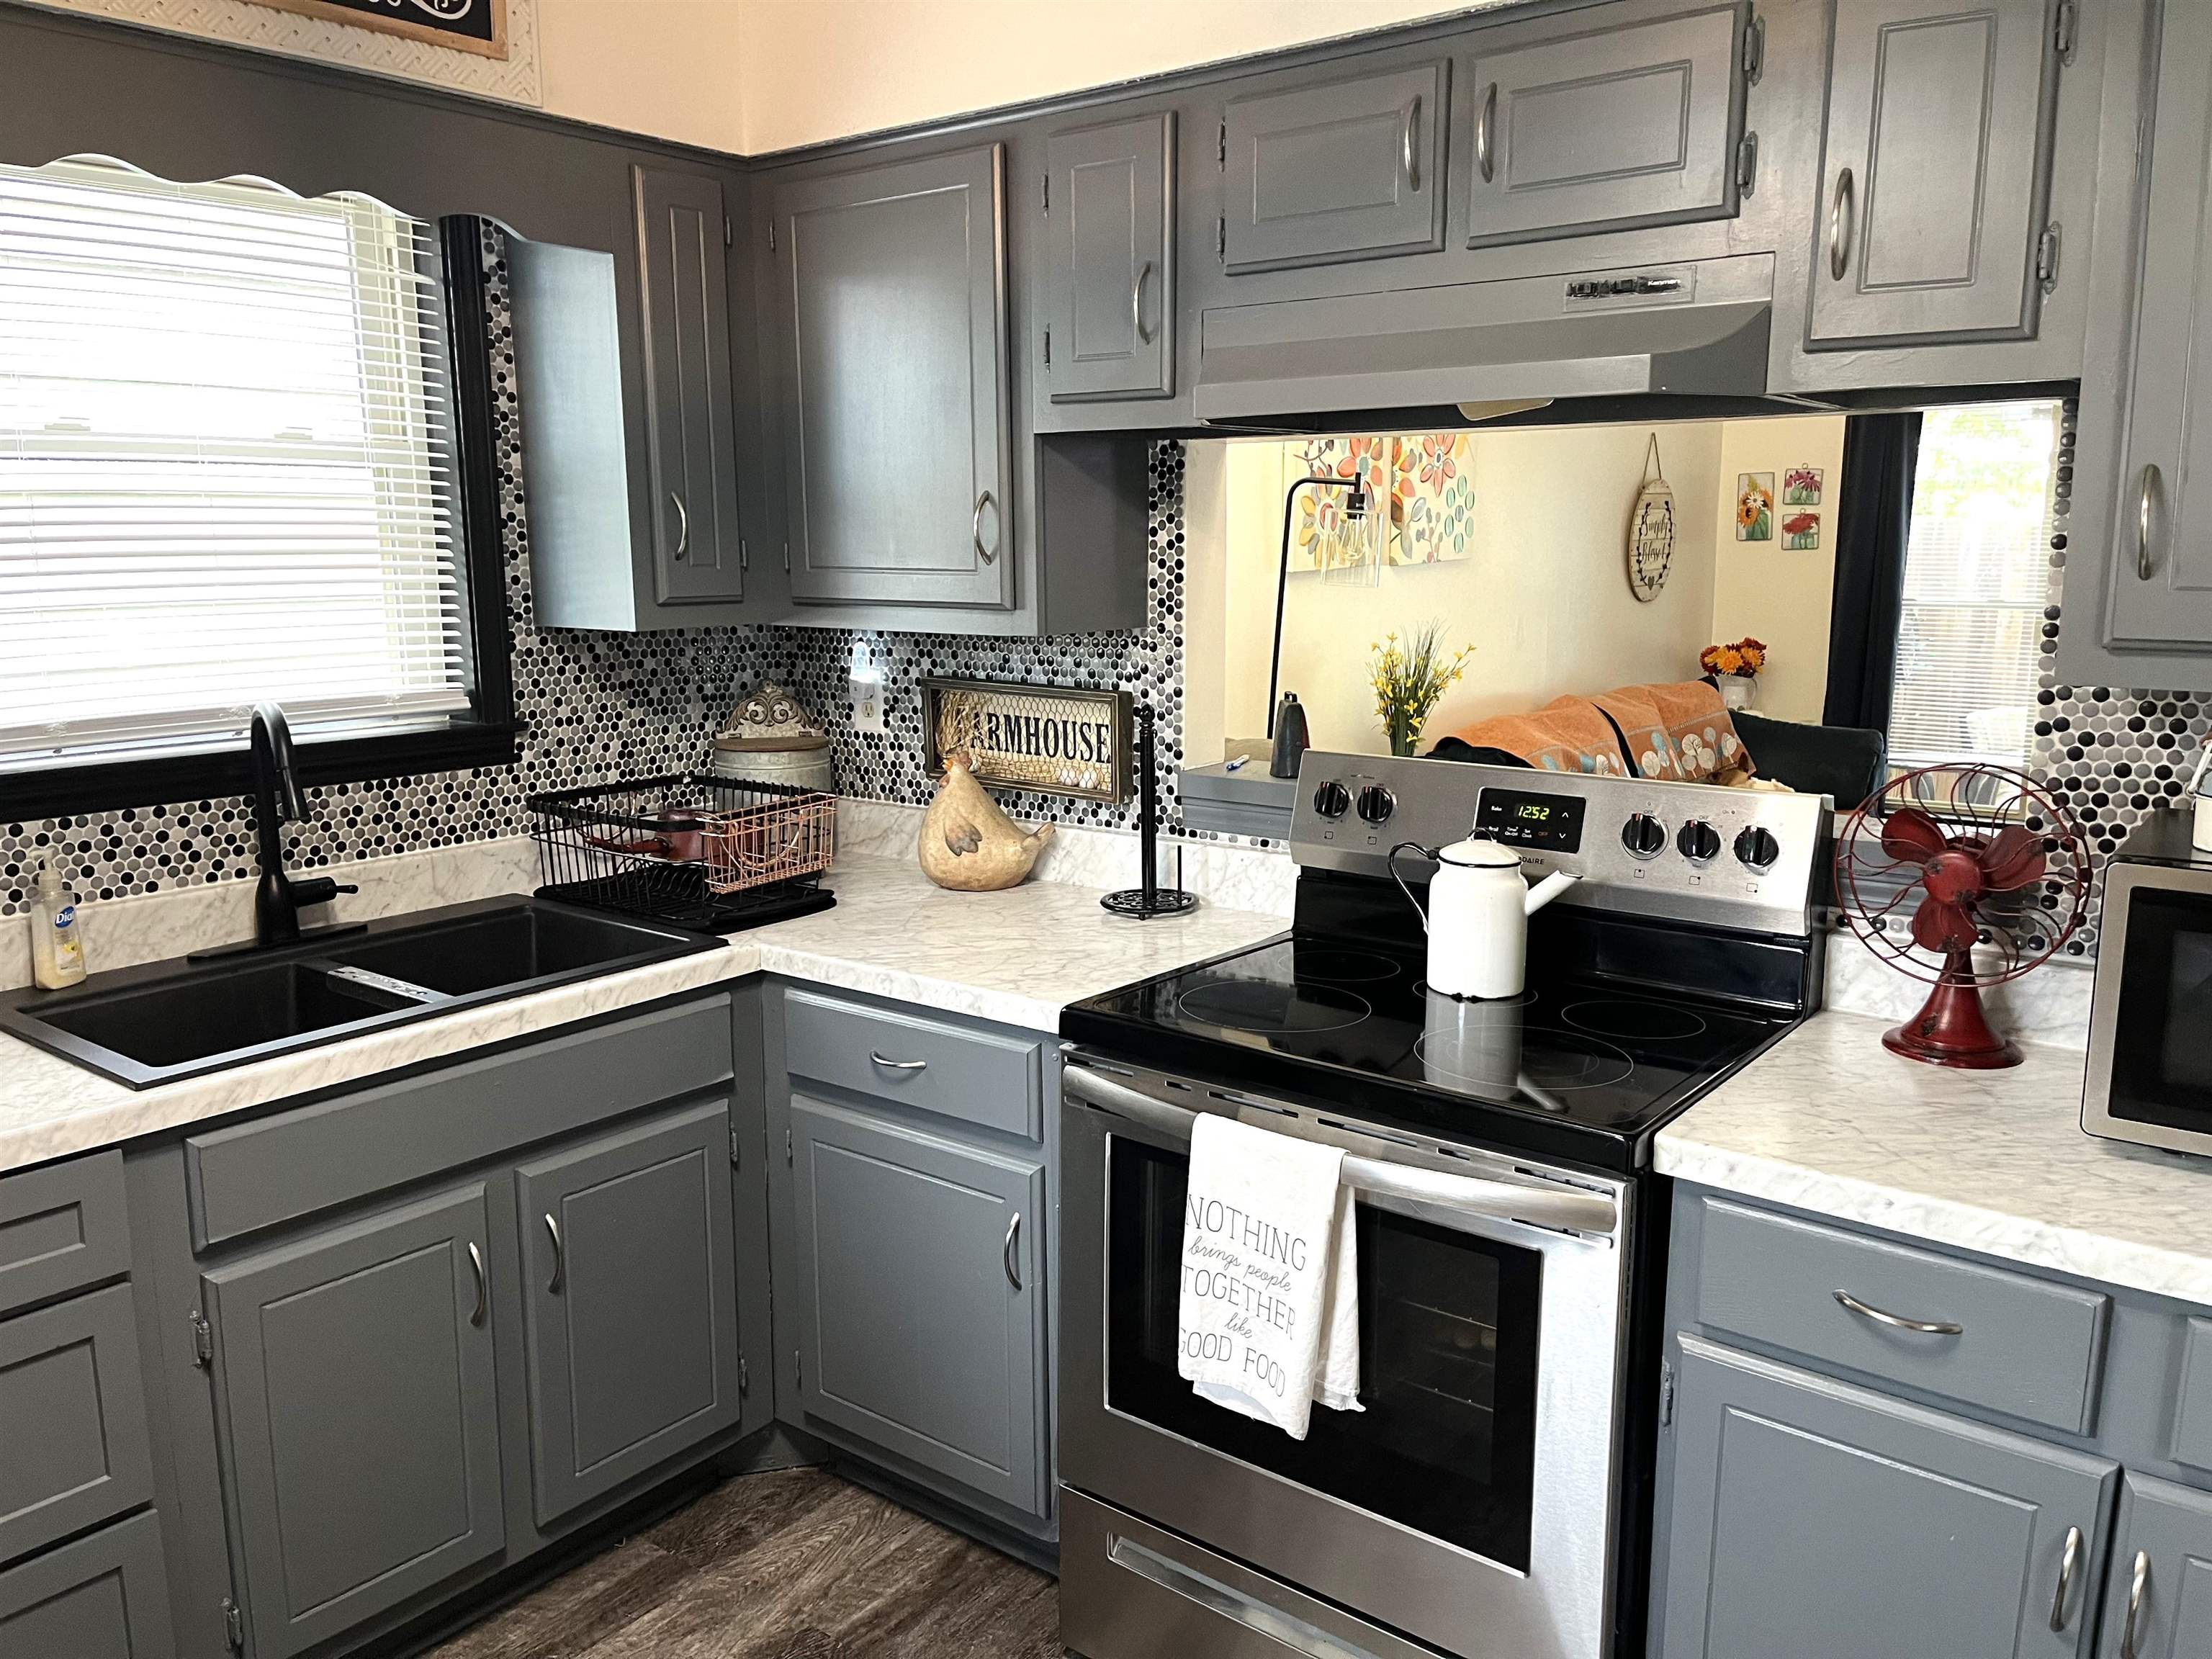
[(1983, 1160)]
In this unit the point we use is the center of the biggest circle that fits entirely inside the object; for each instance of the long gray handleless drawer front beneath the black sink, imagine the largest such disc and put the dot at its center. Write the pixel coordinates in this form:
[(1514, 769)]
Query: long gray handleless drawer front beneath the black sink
[(282, 1169)]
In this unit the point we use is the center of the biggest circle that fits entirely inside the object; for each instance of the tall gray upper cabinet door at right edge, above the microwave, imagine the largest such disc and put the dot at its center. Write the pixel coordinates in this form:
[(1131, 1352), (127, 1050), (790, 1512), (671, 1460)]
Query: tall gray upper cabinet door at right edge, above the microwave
[(2162, 578)]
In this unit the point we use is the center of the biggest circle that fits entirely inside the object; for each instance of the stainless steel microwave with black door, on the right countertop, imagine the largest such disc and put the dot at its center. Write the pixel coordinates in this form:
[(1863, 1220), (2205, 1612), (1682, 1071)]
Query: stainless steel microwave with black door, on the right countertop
[(2149, 1061)]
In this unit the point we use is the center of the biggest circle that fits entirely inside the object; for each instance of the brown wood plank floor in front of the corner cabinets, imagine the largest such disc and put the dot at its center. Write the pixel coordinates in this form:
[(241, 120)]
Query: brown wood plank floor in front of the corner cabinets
[(791, 1565)]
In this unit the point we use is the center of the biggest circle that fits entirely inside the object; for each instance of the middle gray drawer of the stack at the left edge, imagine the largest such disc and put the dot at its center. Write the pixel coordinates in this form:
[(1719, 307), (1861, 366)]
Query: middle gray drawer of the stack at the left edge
[(74, 1450)]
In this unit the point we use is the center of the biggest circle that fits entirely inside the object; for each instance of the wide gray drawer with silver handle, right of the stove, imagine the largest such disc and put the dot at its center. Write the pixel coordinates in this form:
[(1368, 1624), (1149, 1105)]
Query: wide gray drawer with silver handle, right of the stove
[(2025, 1348)]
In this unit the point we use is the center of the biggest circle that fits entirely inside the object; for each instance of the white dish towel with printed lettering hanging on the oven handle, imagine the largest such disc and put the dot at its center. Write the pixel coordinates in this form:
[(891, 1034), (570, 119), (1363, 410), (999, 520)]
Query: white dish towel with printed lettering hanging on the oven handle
[(1271, 1308)]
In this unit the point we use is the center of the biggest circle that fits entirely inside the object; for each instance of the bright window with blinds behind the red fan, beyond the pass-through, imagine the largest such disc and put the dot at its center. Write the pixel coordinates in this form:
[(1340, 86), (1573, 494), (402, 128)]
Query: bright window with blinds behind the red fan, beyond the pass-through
[(1976, 578)]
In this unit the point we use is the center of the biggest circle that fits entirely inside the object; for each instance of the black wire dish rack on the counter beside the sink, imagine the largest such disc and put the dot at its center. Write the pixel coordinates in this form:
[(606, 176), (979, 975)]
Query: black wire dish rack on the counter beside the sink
[(702, 853)]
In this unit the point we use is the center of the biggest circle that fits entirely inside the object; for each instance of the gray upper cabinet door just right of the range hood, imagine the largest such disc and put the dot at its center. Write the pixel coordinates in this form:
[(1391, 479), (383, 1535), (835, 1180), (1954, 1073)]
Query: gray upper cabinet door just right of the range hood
[(1939, 143)]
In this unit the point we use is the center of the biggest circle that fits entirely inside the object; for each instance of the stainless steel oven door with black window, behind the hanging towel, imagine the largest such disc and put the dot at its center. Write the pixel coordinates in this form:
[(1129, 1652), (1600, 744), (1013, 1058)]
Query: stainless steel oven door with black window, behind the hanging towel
[(1472, 1503)]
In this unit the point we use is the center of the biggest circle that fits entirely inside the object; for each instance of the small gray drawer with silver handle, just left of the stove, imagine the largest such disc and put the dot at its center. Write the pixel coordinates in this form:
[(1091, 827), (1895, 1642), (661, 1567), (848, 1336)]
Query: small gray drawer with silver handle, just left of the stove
[(970, 1076)]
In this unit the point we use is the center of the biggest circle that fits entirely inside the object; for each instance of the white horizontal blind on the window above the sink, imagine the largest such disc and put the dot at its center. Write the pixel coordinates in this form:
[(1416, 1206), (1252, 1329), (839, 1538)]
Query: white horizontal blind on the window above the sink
[(225, 463)]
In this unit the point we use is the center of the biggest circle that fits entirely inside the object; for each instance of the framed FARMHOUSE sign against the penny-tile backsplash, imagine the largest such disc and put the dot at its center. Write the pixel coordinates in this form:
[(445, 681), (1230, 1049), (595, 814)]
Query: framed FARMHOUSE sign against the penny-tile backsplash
[(1030, 738)]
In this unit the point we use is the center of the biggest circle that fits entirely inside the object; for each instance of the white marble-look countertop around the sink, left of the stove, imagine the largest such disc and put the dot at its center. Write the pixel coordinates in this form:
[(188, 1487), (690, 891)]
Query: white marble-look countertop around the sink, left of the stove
[(1014, 957)]
